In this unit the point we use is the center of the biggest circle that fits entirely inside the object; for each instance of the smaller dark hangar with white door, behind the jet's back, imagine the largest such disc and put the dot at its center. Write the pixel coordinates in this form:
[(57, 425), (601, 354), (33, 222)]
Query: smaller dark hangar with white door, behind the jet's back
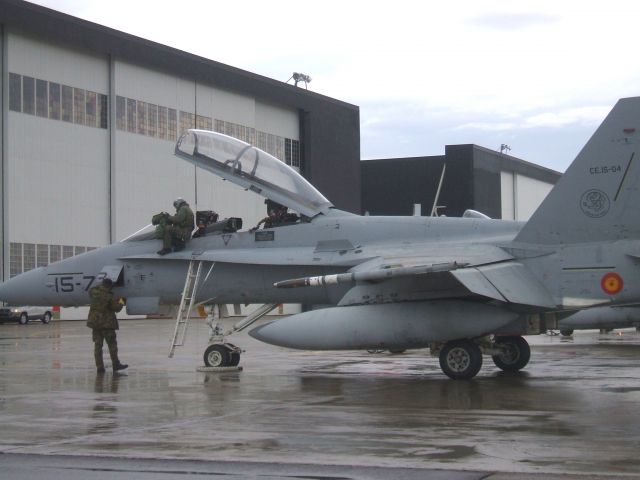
[(498, 185)]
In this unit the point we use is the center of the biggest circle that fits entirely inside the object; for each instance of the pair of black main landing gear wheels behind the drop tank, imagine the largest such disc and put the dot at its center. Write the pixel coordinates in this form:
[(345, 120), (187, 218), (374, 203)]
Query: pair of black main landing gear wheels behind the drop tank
[(462, 359)]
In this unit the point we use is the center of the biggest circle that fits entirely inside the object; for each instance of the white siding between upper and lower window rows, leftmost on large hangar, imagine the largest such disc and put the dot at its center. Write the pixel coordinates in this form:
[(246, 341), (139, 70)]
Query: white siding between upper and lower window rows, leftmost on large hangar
[(58, 182)]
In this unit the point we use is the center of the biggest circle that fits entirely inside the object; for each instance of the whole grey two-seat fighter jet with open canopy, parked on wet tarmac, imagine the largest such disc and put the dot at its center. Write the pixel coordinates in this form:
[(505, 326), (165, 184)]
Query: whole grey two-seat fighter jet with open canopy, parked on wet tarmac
[(462, 287)]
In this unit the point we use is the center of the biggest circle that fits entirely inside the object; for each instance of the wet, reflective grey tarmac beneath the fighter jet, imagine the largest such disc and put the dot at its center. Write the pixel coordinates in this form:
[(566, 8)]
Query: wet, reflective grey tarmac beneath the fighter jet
[(573, 410)]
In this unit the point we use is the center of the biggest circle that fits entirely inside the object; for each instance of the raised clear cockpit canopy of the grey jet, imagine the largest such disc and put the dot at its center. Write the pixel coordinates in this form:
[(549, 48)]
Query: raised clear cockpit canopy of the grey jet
[(252, 169)]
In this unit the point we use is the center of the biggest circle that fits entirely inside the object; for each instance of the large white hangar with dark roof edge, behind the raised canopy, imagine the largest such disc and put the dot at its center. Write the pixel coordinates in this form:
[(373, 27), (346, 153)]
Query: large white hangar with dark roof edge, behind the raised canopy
[(90, 117)]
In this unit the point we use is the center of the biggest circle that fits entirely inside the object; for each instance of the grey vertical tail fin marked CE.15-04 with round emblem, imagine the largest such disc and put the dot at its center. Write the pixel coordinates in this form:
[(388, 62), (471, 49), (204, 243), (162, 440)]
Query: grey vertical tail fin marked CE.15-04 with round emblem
[(598, 197)]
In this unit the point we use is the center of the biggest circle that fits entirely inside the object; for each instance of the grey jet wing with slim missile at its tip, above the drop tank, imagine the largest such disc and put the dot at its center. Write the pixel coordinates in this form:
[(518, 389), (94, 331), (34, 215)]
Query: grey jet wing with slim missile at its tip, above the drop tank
[(478, 271)]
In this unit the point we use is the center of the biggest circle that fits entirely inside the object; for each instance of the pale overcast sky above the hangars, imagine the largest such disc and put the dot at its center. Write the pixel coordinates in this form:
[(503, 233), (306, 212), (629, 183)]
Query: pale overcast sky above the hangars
[(538, 75)]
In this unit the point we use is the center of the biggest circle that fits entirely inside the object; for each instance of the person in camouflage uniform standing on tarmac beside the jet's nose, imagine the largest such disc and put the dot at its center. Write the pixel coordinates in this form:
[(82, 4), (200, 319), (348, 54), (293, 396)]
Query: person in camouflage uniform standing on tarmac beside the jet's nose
[(103, 323)]
